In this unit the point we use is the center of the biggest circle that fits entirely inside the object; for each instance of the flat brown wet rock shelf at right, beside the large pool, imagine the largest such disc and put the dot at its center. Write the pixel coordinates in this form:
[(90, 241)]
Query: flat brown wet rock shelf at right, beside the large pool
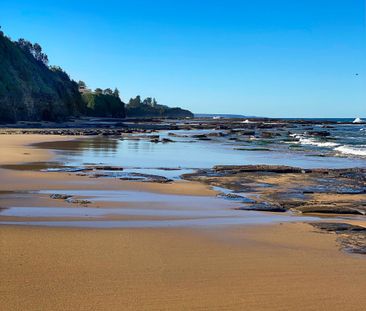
[(284, 188)]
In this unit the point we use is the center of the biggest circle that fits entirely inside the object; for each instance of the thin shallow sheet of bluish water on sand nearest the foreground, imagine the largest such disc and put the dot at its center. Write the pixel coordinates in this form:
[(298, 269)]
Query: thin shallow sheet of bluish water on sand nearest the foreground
[(173, 211)]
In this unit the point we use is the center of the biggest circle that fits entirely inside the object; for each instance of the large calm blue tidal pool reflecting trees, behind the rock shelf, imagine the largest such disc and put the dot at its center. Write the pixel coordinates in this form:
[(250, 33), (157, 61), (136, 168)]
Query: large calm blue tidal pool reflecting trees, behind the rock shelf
[(185, 153)]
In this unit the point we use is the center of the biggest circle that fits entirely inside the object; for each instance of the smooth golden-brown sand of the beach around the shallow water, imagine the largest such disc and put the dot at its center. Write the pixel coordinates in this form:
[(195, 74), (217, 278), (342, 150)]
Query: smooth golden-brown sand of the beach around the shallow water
[(264, 267)]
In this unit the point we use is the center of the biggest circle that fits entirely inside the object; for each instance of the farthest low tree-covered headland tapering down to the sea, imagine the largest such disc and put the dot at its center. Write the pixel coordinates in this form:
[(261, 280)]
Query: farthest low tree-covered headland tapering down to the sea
[(150, 108)]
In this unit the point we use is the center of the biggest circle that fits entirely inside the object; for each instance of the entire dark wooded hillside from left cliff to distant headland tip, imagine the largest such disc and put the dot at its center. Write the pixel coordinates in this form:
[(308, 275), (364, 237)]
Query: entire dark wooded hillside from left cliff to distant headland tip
[(32, 90)]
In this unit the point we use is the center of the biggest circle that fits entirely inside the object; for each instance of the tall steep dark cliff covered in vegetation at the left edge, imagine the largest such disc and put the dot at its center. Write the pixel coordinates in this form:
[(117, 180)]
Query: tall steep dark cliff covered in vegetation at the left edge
[(30, 90)]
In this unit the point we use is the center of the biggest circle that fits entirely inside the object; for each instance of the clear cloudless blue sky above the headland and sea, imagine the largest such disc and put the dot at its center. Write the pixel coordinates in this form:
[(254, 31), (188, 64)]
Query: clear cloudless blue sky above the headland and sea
[(280, 58)]
